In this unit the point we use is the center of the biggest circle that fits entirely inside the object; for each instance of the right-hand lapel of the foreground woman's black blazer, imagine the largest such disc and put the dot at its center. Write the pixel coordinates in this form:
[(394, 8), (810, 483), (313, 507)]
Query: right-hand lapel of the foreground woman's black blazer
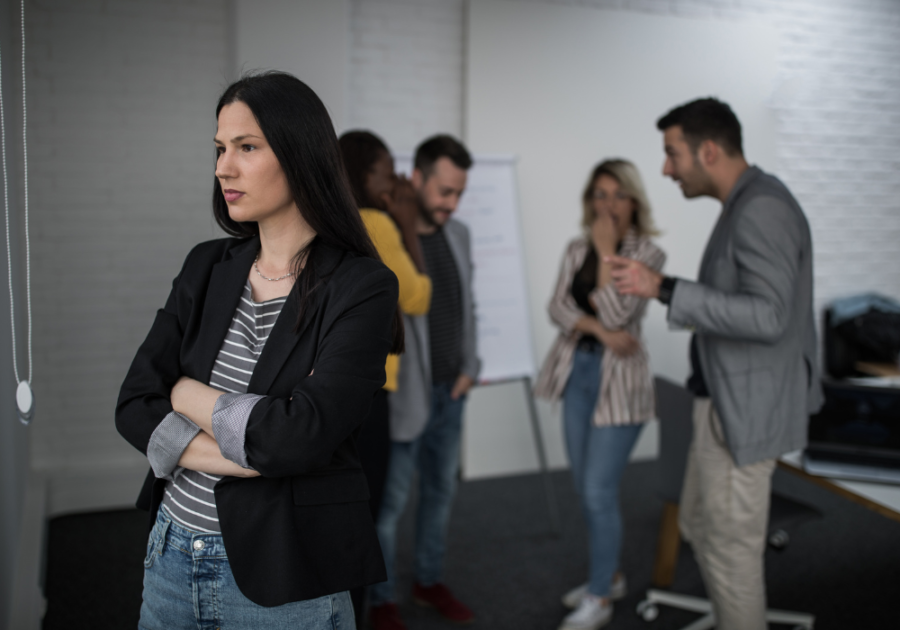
[(283, 339)]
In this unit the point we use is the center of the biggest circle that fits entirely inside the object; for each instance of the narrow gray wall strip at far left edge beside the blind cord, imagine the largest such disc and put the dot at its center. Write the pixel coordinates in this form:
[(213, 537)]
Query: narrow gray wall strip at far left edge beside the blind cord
[(13, 435)]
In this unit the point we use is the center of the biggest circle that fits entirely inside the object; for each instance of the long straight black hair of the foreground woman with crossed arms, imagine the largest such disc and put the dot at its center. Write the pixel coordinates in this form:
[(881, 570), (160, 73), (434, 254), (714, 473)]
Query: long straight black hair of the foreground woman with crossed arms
[(299, 131)]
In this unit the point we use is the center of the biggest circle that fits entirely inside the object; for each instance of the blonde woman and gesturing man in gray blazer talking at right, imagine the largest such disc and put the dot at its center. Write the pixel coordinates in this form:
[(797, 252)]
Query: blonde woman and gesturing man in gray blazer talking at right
[(754, 371)]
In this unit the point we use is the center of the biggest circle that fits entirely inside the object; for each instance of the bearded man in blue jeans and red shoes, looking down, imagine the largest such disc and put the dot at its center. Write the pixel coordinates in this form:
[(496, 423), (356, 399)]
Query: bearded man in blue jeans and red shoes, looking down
[(436, 371)]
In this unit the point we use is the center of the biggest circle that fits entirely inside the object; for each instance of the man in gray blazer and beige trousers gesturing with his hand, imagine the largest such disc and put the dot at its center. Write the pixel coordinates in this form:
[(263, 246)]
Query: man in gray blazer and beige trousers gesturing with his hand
[(753, 353)]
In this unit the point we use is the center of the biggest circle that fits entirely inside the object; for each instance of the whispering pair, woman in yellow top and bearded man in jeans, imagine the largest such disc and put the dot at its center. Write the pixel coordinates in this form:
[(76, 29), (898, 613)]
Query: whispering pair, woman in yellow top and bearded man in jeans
[(417, 425)]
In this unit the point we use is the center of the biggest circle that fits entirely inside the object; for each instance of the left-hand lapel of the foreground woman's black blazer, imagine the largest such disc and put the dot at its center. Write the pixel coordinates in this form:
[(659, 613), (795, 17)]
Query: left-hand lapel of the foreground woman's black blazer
[(226, 283)]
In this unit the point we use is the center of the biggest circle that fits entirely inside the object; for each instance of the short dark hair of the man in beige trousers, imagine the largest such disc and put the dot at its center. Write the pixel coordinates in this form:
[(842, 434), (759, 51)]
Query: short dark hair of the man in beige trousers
[(706, 119)]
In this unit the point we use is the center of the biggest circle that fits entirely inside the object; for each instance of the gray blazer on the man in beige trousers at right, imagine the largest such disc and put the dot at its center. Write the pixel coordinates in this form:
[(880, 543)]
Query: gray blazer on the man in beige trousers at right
[(752, 311)]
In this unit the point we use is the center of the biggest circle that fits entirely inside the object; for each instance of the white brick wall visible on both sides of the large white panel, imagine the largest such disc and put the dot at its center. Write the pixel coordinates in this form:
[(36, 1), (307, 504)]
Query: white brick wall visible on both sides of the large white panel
[(837, 106)]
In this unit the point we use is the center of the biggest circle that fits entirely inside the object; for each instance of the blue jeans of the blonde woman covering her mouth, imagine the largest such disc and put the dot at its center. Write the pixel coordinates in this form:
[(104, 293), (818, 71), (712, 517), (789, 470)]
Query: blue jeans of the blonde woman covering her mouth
[(598, 456)]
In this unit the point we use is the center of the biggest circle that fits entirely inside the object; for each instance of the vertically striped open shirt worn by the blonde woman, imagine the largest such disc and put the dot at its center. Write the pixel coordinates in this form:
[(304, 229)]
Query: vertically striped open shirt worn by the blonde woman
[(626, 386)]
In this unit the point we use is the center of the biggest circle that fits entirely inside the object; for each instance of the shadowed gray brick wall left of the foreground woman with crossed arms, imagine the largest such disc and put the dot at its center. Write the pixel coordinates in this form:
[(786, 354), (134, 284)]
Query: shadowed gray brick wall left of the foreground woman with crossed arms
[(121, 120)]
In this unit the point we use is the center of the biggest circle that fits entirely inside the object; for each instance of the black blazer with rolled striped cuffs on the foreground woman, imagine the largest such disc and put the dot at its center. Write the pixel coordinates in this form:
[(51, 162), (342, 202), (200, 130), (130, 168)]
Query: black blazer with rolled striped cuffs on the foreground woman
[(303, 529)]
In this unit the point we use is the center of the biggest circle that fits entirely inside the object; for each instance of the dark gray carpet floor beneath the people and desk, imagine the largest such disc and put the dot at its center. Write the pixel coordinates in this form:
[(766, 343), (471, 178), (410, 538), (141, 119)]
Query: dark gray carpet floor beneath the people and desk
[(511, 571)]
